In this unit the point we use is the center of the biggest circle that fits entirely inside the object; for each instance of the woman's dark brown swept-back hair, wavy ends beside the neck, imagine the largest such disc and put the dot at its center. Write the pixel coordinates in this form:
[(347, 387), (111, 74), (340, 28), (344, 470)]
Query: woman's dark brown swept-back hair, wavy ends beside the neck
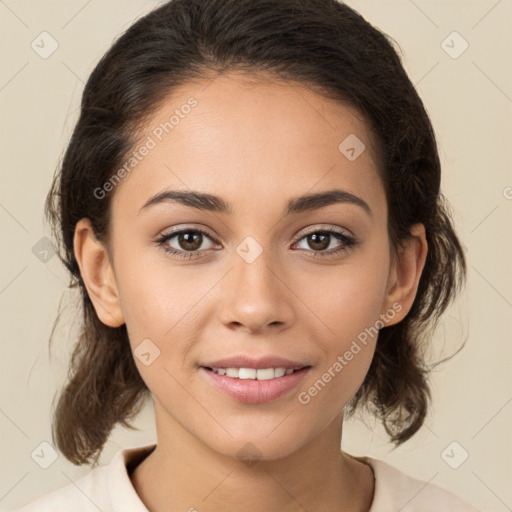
[(322, 44)]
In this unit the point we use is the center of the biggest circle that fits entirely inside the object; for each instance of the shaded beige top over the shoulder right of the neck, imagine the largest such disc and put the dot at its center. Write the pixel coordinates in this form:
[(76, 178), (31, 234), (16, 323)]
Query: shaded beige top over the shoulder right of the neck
[(395, 490)]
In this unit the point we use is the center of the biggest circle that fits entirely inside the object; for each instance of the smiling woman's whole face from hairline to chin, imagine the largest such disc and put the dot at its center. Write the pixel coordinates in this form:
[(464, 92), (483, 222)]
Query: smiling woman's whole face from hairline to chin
[(252, 273)]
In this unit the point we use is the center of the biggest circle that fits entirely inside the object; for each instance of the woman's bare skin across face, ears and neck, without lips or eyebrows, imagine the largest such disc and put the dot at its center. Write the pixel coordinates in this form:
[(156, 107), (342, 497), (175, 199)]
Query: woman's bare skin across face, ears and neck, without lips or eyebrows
[(256, 145)]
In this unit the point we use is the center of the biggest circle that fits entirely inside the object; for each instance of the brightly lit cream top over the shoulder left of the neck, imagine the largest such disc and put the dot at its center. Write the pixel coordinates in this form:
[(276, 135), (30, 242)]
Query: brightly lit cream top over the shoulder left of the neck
[(106, 488)]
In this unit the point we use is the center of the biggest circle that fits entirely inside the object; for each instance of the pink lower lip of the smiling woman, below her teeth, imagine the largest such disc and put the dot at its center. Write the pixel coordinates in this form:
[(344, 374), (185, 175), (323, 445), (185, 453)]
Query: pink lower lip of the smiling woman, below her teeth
[(252, 391)]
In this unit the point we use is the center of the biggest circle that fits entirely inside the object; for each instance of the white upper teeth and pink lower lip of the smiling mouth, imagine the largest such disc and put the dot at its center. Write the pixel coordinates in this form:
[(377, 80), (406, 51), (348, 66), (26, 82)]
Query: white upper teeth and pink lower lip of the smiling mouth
[(255, 385)]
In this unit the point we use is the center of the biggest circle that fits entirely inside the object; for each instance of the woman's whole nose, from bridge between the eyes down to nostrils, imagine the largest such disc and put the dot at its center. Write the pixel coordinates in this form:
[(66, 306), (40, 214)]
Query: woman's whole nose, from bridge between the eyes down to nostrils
[(255, 295)]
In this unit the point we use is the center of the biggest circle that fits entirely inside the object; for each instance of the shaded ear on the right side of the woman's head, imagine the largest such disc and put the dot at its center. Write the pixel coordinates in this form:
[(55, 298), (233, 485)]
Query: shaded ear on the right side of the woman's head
[(405, 273)]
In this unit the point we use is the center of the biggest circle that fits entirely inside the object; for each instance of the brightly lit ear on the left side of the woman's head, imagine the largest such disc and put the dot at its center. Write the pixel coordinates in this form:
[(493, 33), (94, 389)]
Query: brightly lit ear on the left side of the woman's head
[(97, 273)]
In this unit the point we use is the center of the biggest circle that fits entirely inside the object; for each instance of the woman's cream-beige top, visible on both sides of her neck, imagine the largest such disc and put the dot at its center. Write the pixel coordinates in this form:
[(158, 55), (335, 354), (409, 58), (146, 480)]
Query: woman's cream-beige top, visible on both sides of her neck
[(109, 489)]
